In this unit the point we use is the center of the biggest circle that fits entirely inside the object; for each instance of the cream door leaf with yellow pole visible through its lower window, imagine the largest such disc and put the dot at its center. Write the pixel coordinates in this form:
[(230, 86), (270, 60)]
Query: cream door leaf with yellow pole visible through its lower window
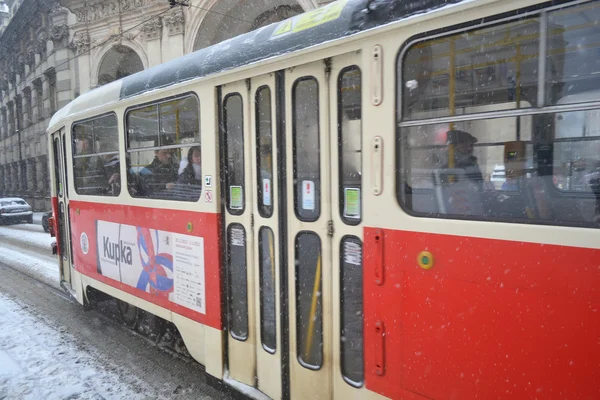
[(309, 253)]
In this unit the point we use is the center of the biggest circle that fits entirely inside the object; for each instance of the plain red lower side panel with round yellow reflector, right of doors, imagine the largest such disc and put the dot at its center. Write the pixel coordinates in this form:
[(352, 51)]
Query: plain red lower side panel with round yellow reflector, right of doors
[(456, 316)]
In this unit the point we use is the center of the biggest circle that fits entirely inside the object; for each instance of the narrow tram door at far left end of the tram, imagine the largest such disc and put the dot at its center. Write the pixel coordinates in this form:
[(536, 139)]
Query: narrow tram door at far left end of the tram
[(62, 212)]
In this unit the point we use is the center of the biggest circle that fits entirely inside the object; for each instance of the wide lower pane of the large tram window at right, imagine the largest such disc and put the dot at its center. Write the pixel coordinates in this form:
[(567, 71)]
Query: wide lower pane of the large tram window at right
[(478, 170)]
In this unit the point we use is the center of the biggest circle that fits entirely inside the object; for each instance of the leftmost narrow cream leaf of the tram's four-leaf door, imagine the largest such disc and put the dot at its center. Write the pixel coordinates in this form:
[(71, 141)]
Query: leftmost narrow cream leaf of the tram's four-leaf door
[(239, 237)]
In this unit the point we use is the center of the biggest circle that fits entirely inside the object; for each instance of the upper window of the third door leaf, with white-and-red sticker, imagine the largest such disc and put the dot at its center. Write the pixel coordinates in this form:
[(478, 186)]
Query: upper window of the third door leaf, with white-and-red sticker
[(306, 147)]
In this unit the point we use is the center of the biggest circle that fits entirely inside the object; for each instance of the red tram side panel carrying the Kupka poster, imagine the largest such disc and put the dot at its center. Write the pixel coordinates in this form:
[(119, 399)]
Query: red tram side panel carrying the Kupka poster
[(169, 258)]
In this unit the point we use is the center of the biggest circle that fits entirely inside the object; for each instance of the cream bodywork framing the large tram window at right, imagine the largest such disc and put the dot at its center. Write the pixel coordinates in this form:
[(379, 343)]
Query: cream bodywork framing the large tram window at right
[(384, 210)]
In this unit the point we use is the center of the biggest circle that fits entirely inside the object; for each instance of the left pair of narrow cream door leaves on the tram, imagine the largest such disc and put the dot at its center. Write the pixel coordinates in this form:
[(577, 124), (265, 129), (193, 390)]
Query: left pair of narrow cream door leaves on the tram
[(252, 234)]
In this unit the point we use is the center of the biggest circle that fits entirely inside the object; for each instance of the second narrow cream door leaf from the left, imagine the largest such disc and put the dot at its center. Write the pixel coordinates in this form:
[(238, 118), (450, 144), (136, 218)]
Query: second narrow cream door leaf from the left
[(263, 96)]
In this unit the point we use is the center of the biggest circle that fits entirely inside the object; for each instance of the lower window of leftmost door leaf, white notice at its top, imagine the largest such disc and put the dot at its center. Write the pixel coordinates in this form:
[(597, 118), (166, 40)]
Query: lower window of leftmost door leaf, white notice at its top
[(237, 282)]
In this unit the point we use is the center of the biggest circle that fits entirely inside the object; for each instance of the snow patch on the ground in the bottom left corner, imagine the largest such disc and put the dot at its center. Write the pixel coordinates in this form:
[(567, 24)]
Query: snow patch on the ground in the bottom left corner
[(38, 361)]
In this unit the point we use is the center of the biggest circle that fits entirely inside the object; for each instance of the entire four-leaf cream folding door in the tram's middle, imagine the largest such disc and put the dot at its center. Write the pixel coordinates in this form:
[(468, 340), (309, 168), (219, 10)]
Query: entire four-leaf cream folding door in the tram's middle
[(266, 338)]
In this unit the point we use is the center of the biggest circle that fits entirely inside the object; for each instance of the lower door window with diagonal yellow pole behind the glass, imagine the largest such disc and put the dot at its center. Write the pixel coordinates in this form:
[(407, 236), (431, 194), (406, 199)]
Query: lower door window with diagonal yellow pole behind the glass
[(309, 311)]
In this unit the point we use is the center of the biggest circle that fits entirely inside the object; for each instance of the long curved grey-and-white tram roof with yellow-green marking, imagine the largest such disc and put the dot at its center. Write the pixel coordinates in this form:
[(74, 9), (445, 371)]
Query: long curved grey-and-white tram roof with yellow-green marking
[(337, 20)]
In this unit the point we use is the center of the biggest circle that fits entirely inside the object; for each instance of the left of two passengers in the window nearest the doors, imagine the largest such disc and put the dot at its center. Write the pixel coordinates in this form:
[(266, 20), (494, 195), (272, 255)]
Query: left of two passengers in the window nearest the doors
[(161, 174)]
